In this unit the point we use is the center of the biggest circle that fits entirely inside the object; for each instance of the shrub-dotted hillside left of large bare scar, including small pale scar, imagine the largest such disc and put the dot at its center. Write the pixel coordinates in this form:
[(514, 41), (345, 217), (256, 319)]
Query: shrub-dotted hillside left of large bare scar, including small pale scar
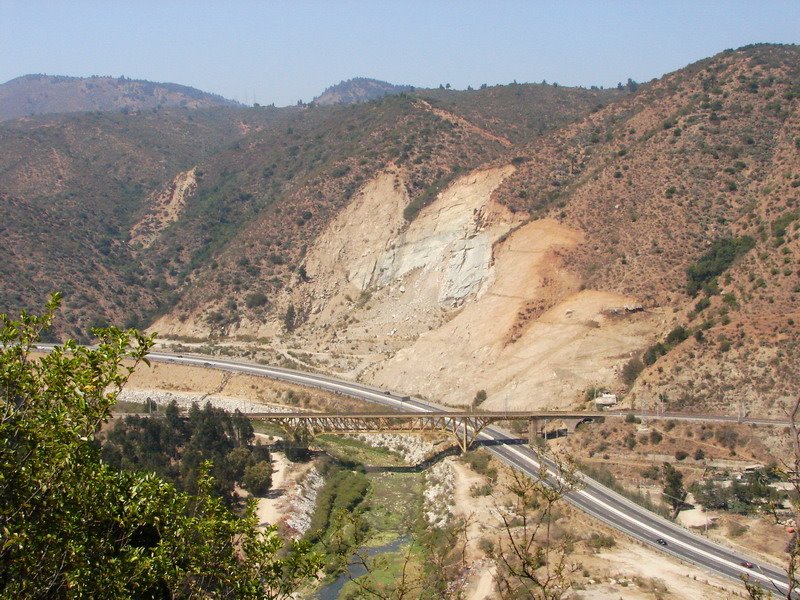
[(138, 238)]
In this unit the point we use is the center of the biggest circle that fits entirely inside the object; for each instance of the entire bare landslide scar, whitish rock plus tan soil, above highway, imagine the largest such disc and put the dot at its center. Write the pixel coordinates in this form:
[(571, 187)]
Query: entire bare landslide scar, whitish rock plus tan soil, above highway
[(464, 298)]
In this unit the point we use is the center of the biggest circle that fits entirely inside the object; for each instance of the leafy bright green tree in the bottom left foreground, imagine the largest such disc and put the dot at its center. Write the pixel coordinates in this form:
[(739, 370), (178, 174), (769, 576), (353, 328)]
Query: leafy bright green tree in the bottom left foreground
[(72, 526)]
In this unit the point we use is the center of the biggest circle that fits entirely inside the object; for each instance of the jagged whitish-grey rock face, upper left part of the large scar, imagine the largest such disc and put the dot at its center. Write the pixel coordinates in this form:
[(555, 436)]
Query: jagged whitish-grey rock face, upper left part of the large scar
[(448, 248)]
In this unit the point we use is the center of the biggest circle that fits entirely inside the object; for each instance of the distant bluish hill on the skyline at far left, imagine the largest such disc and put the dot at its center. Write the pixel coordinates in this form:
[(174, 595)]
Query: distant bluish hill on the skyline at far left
[(47, 94)]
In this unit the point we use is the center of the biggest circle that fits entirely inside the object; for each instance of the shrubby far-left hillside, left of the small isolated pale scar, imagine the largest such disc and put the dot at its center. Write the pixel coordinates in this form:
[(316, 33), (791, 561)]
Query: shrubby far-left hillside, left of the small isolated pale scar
[(72, 188)]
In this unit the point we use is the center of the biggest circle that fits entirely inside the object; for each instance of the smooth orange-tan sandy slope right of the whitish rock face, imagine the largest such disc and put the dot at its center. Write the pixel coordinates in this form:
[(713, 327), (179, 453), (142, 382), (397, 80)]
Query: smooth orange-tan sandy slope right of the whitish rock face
[(503, 342)]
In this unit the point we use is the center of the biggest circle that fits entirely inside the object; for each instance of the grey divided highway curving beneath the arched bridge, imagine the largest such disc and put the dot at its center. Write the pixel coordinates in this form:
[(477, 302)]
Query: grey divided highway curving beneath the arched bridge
[(593, 498)]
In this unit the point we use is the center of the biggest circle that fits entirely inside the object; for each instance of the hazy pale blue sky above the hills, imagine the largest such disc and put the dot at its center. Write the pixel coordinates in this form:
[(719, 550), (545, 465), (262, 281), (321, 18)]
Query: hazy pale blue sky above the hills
[(285, 51)]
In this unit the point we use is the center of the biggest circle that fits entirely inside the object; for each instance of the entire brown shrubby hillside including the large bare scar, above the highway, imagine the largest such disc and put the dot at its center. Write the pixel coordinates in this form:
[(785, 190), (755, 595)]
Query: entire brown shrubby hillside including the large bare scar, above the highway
[(533, 241)]
